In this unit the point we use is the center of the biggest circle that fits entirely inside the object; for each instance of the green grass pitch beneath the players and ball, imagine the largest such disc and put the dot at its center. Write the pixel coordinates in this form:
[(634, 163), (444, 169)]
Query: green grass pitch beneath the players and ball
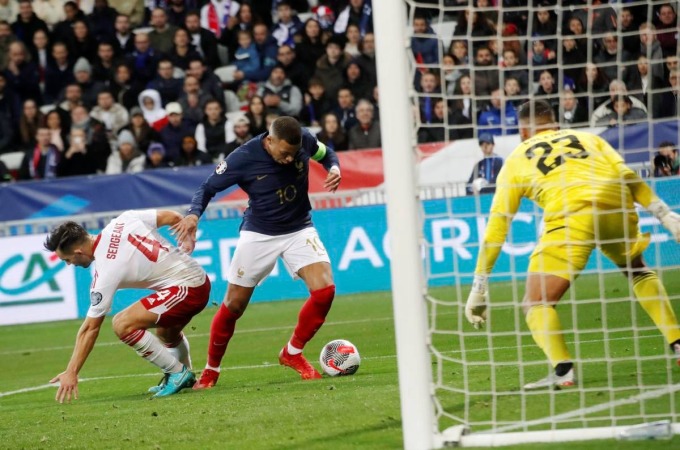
[(259, 405)]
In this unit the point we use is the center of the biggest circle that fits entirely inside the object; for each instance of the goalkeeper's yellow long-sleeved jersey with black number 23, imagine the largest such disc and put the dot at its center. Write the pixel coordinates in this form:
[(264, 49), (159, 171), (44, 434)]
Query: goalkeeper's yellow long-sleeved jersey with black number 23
[(564, 172)]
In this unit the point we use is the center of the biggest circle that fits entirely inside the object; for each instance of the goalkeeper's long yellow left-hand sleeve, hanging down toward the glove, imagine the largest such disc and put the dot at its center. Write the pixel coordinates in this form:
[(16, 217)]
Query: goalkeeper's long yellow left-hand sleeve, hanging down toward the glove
[(509, 193)]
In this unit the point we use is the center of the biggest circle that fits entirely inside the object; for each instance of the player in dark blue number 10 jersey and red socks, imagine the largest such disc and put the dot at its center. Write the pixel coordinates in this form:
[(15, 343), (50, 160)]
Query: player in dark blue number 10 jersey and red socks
[(273, 169)]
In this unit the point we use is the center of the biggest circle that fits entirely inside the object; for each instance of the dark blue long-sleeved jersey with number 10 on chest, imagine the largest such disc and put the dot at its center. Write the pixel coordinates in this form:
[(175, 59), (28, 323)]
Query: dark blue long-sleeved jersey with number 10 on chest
[(278, 200)]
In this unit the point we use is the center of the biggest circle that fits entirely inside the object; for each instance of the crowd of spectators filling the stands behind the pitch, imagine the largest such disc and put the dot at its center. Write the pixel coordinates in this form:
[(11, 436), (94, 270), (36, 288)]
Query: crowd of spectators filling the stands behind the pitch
[(120, 86)]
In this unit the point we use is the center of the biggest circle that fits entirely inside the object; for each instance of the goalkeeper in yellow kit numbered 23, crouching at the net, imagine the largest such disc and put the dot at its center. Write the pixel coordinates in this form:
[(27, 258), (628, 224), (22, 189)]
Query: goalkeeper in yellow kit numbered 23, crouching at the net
[(587, 194)]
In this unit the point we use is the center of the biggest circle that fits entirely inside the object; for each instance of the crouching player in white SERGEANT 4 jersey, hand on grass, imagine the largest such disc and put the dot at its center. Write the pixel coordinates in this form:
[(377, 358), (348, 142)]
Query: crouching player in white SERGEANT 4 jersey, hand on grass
[(130, 253)]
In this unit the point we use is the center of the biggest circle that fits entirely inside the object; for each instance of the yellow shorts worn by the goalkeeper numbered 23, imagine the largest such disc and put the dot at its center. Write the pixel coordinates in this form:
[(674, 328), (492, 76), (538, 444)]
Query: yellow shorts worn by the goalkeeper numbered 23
[(565, 246)]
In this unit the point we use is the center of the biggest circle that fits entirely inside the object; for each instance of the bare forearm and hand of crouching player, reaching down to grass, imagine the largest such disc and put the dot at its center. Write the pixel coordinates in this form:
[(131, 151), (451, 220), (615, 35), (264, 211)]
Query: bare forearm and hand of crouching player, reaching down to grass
[(68, 379)]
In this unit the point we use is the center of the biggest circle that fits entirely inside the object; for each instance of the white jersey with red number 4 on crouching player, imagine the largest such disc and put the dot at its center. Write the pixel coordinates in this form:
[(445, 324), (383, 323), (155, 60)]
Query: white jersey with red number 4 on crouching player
[(130, 253)]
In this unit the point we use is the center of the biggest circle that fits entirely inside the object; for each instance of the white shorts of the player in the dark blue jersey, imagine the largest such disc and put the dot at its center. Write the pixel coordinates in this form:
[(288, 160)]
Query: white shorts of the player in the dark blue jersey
[(256, 255)]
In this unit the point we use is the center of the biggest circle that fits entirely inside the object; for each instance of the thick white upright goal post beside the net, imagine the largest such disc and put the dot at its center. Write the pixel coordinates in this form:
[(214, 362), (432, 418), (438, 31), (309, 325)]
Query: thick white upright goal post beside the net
[(405, 225)]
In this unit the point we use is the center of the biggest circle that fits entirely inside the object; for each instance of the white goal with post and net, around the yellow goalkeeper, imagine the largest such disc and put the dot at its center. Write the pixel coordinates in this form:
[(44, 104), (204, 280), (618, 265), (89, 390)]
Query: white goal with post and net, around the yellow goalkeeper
[(604, 67)]
